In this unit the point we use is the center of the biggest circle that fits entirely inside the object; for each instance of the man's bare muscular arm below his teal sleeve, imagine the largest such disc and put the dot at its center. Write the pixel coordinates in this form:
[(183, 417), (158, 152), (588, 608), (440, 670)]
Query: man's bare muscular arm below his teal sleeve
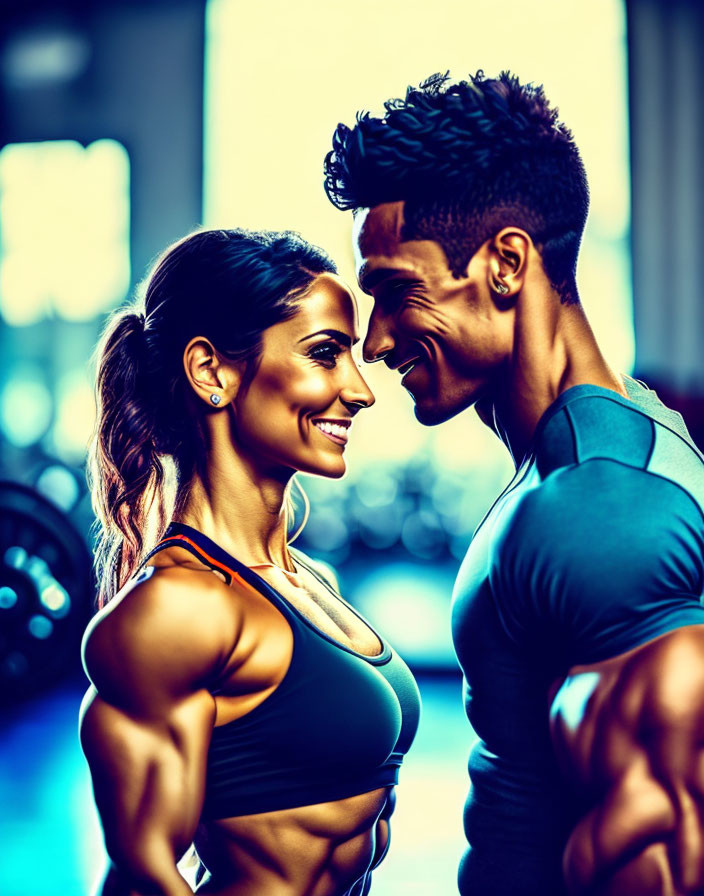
[(629, 733)]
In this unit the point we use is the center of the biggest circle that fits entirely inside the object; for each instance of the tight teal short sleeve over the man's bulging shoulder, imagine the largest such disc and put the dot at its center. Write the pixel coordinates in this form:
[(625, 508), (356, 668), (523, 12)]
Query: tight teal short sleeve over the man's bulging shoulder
[(597, 559)]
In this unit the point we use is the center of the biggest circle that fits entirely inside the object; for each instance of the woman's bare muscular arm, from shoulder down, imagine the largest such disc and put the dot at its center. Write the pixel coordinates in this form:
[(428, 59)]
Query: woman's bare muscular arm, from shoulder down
[(147, 720)]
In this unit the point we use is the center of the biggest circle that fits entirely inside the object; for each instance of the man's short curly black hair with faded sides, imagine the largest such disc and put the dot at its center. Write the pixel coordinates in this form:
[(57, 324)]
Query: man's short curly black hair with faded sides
[(468, 159)]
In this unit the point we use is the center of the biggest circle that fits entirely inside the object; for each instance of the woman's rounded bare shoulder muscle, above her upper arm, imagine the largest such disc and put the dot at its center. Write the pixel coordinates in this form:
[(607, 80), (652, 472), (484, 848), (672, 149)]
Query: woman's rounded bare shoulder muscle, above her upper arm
[(173, 625)]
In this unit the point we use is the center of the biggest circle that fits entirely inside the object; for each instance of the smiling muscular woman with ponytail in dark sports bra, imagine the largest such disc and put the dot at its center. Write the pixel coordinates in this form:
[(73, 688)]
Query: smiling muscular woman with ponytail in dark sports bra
[(237, 702)]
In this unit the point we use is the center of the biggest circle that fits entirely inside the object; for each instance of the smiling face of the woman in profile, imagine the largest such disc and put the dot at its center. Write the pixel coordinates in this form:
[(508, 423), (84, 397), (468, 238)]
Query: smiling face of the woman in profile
[(297, 411)]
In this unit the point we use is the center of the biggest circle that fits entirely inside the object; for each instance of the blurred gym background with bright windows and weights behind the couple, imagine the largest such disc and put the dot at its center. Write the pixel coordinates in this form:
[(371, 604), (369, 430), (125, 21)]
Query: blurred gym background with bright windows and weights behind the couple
[(123, 126)]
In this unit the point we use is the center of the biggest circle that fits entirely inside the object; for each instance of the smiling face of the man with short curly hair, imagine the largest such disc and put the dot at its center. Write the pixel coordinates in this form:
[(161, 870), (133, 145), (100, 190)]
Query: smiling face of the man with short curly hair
[(445, 336)]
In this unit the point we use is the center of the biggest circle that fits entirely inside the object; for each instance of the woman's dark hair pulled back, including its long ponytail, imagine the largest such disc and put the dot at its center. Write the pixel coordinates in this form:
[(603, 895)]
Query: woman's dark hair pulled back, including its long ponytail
[(226, 285)]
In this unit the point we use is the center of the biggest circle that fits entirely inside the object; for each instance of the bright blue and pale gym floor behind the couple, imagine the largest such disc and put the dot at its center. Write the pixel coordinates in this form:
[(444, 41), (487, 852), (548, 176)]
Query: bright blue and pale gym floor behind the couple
[(49, 832)]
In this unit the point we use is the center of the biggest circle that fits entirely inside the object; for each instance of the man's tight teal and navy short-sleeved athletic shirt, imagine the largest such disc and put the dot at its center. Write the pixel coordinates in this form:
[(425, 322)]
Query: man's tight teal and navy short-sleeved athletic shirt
[(595, 547)]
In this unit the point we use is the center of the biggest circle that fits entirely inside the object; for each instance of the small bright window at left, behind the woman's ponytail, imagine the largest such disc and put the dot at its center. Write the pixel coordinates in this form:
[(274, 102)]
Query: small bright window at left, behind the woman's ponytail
[(64, 229)]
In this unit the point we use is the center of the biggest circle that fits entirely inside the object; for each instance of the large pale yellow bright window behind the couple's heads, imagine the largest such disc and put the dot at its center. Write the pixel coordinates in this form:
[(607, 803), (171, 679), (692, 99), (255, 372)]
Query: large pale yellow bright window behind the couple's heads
[(281, 74)]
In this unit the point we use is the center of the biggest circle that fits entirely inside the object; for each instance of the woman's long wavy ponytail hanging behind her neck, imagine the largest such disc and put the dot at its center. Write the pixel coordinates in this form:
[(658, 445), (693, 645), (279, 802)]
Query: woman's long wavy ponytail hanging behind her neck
[(125, 470)]
